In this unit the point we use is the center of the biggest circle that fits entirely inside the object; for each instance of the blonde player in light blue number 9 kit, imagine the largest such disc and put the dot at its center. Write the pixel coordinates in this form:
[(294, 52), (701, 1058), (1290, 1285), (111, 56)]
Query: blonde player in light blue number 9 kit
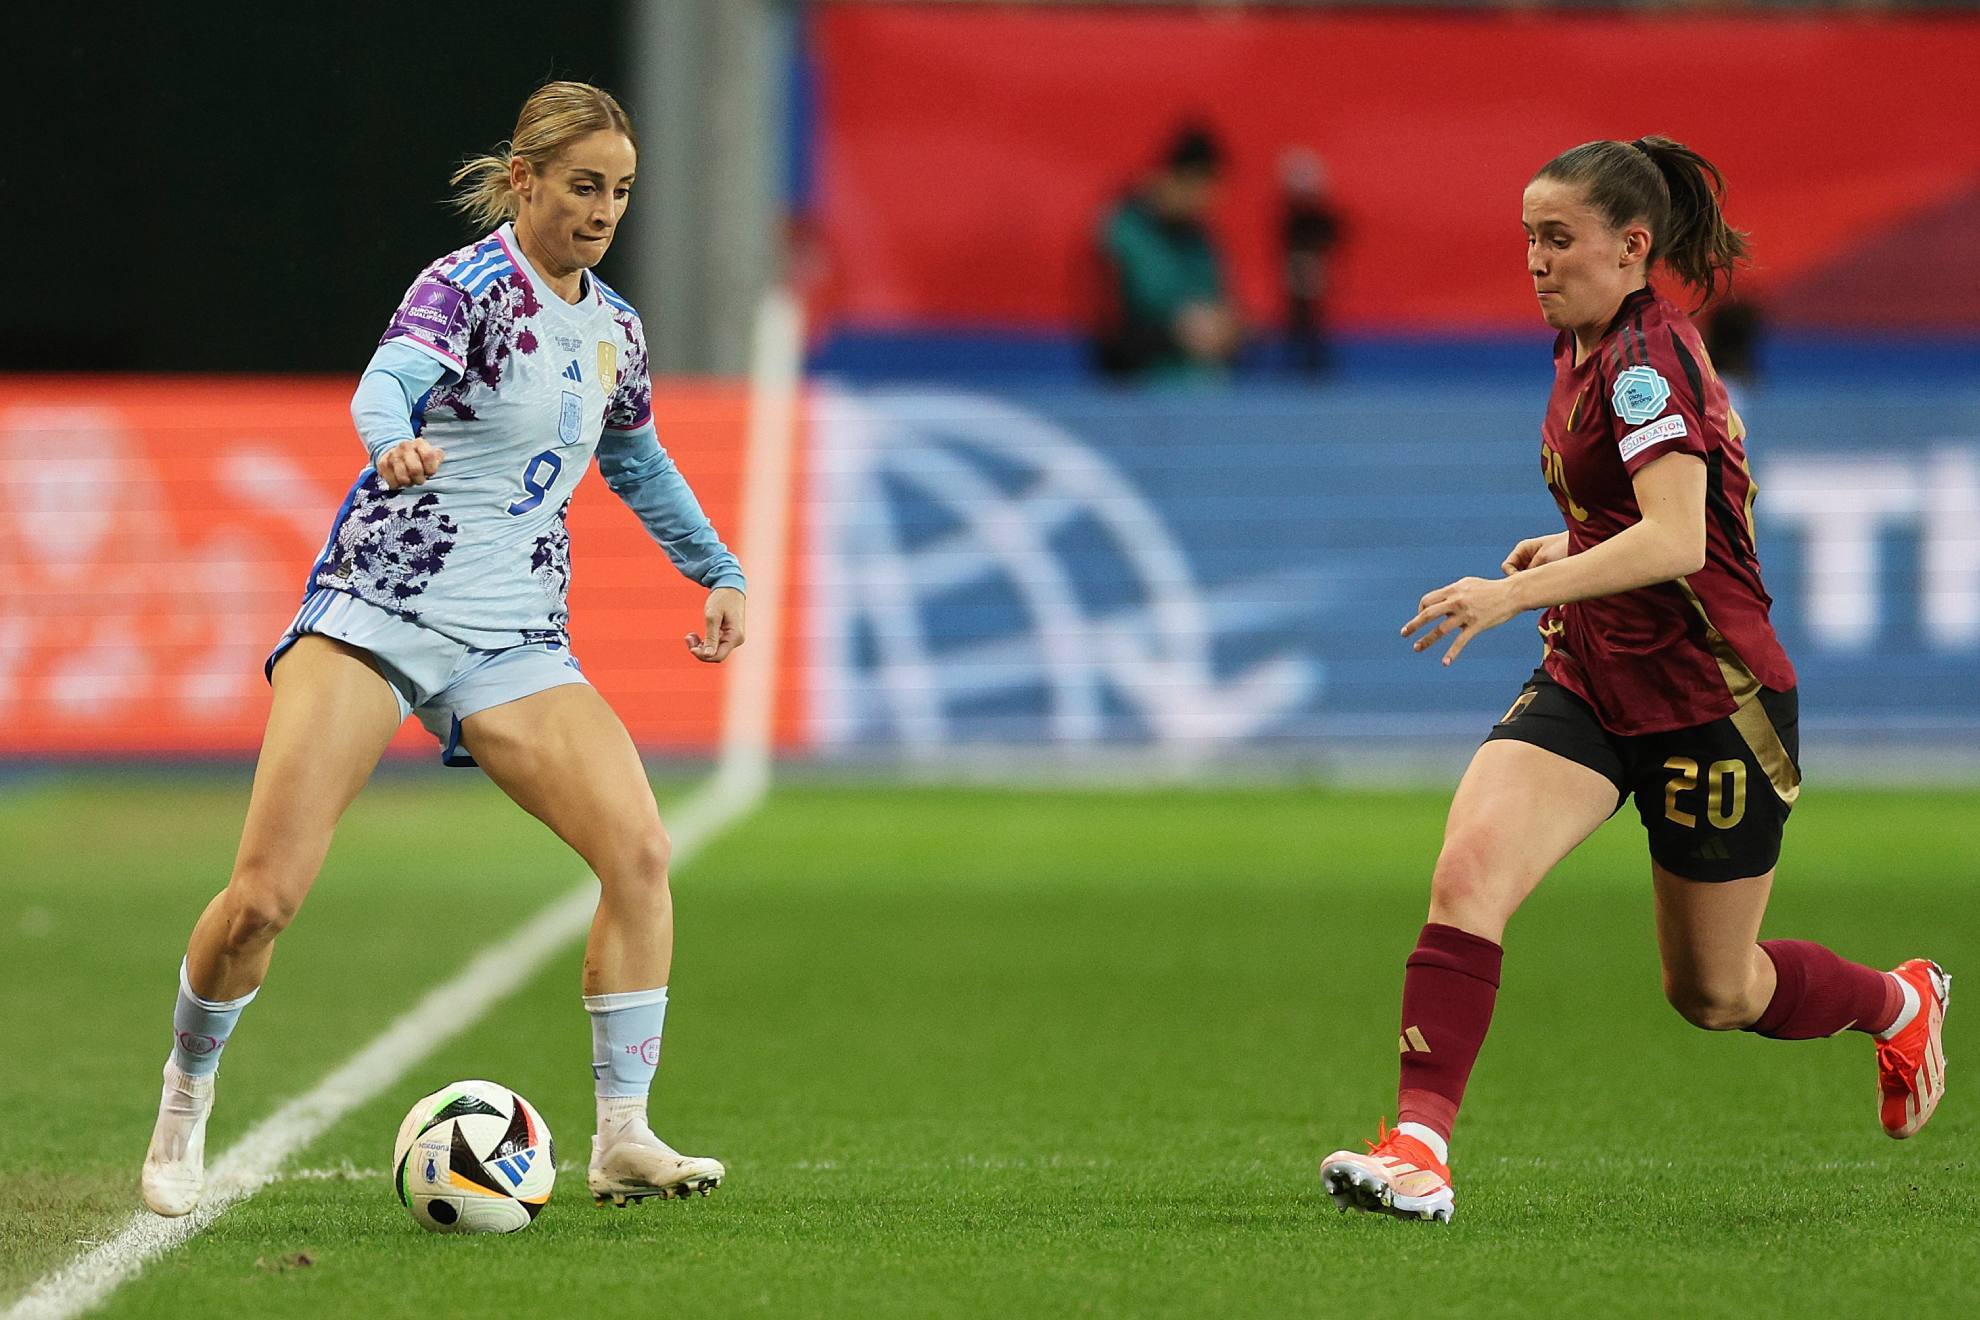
[(441, 593)]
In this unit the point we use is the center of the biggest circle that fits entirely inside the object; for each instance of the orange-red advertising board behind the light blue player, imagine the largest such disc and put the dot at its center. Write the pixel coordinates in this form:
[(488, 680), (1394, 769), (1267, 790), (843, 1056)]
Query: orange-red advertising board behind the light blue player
[(155, 535)]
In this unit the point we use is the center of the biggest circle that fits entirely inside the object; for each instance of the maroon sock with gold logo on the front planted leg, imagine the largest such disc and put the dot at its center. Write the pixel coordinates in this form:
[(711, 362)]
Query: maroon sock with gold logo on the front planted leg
[(1448, 992)]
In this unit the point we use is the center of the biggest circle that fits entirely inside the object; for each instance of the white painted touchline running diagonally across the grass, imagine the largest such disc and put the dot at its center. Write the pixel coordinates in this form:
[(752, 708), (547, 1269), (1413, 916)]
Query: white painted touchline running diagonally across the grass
[(258, 1157)]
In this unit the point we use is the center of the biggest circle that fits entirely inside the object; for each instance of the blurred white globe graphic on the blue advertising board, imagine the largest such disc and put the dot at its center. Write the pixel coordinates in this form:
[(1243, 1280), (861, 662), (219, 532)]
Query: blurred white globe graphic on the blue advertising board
[(989, 579)]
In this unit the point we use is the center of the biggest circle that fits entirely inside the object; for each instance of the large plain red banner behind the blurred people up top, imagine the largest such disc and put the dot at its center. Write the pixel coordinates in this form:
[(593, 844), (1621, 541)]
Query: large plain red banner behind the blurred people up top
[(967, 151)]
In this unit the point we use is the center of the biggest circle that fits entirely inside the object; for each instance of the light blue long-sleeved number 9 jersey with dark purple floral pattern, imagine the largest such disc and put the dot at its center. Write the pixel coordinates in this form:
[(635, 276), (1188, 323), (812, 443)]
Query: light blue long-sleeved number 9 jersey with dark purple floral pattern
[(520, 389)]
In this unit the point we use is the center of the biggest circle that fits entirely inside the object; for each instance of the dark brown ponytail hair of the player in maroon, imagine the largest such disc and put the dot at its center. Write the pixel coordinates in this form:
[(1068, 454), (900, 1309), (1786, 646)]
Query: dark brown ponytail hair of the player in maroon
[(1670, 189)]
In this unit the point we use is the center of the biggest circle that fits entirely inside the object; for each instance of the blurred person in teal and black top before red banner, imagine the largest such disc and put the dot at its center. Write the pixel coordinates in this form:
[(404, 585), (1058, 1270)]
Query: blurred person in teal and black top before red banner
[(1165, 314)]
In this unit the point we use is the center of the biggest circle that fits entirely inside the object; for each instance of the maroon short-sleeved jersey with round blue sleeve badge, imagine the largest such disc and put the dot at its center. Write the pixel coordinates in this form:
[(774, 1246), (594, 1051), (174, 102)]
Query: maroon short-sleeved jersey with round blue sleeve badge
[(1676, 654)]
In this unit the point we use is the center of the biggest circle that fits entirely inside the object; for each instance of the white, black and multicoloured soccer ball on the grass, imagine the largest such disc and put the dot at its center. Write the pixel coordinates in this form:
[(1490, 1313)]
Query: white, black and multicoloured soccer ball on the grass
[(474, 1159)]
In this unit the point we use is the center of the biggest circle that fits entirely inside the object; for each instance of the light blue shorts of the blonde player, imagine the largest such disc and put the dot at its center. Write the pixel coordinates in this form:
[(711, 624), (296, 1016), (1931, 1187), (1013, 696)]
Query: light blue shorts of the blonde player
[(435, 678)]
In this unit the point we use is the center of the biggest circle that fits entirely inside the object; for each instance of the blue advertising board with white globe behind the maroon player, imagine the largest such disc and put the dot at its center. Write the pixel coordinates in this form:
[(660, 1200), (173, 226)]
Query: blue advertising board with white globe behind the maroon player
[(1227, 575)]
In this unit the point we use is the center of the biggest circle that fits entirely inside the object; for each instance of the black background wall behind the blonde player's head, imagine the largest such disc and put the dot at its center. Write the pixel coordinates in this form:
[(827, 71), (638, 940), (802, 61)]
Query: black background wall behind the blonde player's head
[(229, 189)]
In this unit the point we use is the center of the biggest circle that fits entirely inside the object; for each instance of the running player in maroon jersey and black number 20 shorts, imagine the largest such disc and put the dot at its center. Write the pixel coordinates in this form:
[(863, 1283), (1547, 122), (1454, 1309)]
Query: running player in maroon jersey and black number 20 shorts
[(1662, 678)]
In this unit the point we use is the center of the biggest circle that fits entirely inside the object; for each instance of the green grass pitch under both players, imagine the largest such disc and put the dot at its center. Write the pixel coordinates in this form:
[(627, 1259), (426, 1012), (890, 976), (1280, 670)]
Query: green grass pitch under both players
[(999, 1054)]
